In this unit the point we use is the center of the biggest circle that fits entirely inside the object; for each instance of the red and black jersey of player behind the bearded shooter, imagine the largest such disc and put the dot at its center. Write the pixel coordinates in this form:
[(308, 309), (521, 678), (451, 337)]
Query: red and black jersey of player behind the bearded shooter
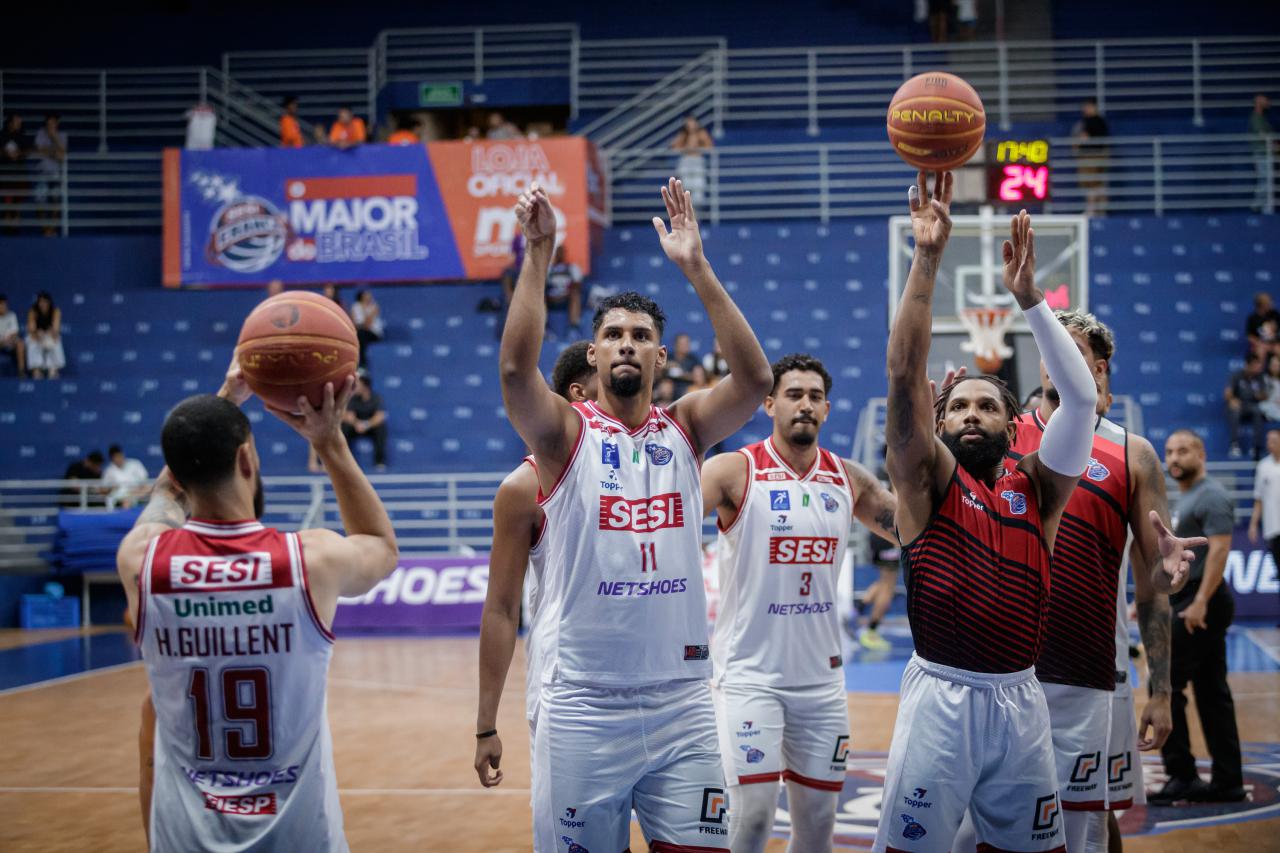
[(1080, 631)]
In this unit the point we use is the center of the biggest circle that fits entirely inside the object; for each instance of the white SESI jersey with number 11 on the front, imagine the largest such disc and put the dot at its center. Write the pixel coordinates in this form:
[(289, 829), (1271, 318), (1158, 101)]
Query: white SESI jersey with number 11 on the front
[(623, 590)]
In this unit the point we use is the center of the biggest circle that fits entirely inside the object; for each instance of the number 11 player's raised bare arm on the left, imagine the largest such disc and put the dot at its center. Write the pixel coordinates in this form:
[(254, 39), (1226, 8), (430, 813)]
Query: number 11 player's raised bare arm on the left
[(543, 419)]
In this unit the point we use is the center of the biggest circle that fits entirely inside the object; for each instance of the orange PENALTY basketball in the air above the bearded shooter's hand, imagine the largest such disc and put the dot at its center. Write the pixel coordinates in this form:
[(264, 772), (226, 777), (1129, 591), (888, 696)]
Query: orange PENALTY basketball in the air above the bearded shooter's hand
[(936, 121)]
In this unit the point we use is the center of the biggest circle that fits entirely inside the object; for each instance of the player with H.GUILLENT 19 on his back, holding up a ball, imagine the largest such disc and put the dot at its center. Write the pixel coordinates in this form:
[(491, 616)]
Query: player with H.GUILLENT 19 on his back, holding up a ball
[(234, 622)]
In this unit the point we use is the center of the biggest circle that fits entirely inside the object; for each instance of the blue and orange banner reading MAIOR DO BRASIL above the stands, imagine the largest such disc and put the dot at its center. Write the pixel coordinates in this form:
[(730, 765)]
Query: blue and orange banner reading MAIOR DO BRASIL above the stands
[(376, 213)]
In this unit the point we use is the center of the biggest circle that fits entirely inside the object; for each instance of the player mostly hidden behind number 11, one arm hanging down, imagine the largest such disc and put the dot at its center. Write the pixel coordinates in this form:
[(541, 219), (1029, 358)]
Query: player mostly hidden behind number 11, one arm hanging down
[(518, 545)]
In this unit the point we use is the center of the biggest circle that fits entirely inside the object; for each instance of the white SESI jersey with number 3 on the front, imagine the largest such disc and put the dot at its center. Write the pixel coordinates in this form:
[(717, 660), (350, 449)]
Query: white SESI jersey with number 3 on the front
[(779, 624)]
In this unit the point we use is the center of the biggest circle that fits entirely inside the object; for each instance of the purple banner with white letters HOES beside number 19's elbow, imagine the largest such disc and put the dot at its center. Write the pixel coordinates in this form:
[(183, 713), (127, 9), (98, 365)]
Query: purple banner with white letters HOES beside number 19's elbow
[(424, 595)]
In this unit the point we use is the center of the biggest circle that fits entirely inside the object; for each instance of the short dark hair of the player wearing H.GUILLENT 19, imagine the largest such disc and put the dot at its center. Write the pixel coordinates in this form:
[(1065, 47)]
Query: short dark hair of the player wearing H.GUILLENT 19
[(200, 440)]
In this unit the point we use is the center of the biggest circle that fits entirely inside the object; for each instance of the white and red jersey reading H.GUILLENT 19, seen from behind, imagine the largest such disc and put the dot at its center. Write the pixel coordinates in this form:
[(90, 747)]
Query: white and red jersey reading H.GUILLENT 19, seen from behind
[(239, 662)]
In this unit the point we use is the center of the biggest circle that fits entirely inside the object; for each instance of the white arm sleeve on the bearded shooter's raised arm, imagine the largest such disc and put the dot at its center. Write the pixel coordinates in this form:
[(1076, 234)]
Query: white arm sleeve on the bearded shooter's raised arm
[(1069, 435)]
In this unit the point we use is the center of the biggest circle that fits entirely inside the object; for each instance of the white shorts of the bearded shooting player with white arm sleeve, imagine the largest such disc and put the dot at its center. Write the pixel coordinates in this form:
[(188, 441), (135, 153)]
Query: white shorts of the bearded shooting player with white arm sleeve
[(971, 741)]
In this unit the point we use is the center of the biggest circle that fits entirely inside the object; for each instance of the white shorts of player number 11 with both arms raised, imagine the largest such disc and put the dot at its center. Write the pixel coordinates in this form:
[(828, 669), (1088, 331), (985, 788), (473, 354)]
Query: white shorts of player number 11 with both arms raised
[(601, 752)]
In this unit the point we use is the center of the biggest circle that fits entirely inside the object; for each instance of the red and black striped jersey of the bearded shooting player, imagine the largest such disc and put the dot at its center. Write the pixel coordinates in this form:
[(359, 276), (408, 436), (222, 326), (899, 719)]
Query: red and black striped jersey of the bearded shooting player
[(977, 578)]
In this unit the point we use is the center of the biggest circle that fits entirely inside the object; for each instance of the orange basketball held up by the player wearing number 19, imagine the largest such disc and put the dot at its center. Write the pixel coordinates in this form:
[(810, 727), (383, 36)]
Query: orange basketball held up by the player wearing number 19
[(292, 345)]
